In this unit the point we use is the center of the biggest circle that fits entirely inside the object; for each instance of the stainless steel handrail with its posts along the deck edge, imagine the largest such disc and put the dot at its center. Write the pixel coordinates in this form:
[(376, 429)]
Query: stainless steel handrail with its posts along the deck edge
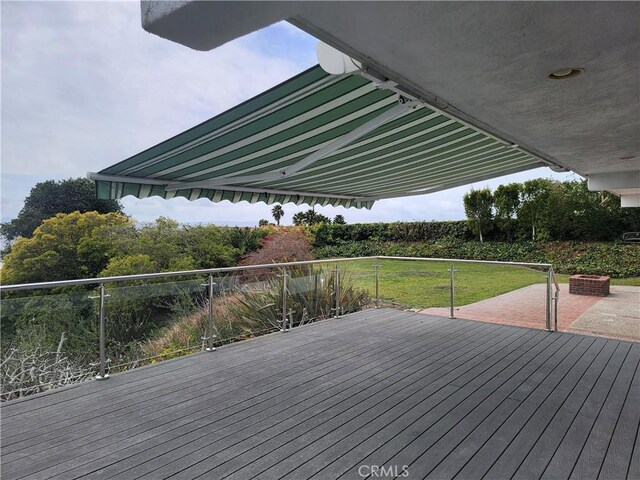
[(285, 322)]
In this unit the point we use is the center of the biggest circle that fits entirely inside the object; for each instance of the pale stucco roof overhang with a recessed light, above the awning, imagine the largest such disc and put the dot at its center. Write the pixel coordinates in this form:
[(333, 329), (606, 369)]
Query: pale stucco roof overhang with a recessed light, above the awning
[(485, 63)]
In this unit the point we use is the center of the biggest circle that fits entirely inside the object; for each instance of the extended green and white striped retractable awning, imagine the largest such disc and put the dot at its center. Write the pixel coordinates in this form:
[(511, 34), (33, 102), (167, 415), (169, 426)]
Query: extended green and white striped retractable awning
[(317, 139)]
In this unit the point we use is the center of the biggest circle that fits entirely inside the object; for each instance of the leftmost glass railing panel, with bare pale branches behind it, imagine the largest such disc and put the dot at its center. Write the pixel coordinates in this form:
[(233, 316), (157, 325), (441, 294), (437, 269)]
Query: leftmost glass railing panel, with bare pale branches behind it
[(49, 339)]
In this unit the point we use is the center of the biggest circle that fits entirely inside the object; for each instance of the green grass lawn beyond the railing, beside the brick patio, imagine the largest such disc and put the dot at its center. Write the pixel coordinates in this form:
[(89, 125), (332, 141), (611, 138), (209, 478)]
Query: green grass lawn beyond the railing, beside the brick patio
[(426, 284)]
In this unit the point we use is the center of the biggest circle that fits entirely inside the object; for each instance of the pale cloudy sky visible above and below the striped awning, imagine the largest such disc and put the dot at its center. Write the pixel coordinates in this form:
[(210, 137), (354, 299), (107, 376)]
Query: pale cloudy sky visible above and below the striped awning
[(84, 86)]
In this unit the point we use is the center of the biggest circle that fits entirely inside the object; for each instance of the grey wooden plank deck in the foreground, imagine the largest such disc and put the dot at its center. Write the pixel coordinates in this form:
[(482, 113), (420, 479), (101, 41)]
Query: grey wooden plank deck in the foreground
[(372, 392)]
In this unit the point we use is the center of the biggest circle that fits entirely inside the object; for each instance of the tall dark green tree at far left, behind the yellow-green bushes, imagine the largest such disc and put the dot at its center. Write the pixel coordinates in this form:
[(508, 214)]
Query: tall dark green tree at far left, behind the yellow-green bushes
[(49, 198)]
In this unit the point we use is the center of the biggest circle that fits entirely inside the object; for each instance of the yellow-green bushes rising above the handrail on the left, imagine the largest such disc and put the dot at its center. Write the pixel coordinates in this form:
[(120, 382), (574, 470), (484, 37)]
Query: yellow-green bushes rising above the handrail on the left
[(81, 245)]
